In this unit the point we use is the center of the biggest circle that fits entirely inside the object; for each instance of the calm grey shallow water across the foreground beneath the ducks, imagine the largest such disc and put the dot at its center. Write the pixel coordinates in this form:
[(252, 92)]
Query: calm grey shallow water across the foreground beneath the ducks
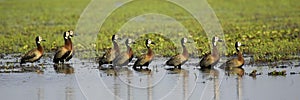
[(83, 79)]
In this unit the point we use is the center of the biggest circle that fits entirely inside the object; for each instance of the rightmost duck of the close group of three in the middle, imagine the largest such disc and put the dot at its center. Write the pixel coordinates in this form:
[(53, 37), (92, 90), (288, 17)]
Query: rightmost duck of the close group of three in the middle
[(145, 59)]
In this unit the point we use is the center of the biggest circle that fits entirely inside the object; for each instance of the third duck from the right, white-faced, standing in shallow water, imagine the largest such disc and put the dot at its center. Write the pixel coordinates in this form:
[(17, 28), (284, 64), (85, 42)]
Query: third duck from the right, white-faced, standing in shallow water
[(179, 59)]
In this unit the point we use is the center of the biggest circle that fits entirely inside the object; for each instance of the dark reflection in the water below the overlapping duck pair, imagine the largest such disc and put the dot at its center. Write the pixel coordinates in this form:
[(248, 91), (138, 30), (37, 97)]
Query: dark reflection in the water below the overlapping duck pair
[(63, 68)]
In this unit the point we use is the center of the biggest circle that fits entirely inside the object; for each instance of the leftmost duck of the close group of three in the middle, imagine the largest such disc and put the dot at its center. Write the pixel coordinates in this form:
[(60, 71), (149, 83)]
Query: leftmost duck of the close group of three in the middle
[(112, 53)]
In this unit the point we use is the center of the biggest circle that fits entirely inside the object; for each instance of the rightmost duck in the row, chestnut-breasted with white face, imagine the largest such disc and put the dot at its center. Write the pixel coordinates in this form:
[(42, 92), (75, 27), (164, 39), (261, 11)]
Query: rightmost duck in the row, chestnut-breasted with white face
[(235, 62)]
